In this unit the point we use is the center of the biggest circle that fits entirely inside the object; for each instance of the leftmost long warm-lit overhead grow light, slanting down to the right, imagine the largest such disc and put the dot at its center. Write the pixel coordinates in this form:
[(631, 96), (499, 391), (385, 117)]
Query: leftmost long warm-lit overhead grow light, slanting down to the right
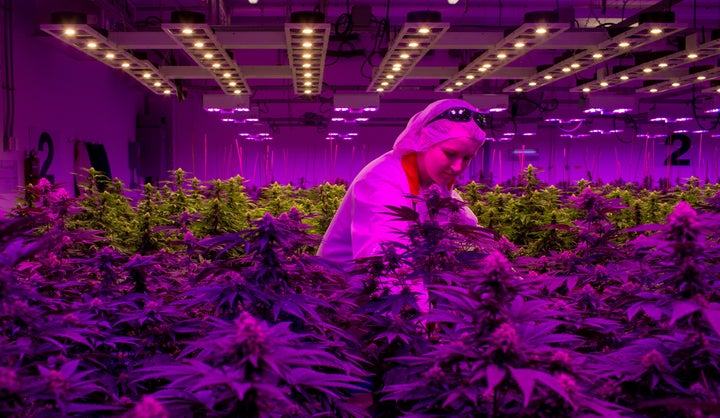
[(91, 42)]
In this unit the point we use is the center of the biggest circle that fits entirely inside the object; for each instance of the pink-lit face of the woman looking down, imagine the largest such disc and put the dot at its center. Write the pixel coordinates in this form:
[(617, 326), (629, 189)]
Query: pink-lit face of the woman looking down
[(444, 162)]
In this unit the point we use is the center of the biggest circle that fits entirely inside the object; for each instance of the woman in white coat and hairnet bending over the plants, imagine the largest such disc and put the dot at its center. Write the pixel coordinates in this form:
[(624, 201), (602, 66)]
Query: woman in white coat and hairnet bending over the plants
[(433, 150)]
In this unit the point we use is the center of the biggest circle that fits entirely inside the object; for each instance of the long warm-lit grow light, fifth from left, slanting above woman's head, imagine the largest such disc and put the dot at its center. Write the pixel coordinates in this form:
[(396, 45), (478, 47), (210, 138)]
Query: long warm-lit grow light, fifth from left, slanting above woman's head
[(525, 38)]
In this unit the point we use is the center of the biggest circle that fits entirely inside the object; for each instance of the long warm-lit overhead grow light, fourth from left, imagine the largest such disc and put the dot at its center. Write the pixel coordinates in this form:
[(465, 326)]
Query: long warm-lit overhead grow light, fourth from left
[(410, 45)]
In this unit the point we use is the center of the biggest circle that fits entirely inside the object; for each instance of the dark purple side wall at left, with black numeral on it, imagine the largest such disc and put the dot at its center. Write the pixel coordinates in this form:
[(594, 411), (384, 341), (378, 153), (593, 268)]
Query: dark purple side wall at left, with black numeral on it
[(71, 97)]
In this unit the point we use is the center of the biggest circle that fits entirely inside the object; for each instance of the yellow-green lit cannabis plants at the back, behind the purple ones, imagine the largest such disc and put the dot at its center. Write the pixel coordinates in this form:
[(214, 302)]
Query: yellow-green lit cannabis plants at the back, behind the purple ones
[(526, 211)]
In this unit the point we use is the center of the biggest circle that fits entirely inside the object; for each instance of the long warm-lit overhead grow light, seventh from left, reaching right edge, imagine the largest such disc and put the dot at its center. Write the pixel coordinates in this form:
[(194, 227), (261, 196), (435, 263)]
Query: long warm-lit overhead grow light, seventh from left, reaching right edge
[(691, 53)]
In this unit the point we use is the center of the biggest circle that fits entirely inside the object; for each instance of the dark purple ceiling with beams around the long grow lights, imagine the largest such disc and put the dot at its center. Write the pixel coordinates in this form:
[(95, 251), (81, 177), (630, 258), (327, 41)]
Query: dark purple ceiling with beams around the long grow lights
[(257, 41)]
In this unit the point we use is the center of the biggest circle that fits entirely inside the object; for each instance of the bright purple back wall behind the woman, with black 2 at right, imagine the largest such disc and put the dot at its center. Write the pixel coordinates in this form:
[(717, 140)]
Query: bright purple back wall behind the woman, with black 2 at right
[(301, 155)]
